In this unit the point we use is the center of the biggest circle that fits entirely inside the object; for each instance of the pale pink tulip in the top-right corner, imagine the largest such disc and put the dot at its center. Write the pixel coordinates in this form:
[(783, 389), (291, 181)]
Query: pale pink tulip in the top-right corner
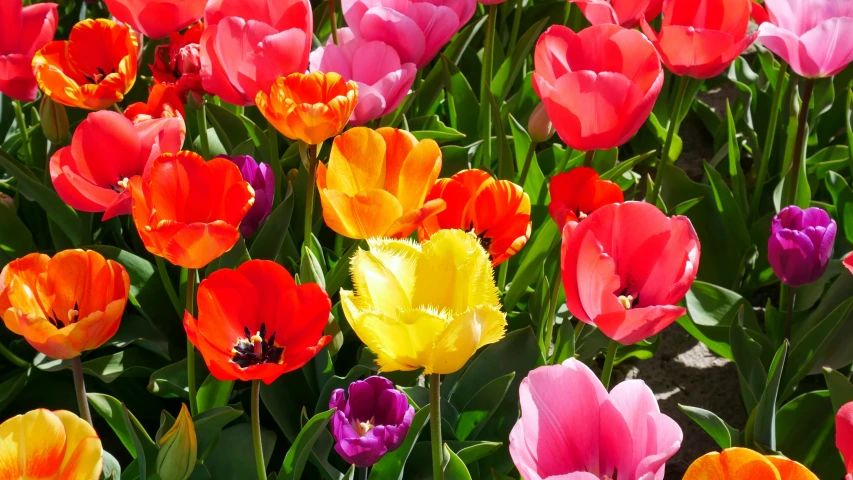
[(813, 36)]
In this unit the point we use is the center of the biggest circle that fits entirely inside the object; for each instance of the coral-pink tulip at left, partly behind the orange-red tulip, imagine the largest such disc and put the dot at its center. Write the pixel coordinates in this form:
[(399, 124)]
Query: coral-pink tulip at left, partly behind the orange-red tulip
[(107, 150)]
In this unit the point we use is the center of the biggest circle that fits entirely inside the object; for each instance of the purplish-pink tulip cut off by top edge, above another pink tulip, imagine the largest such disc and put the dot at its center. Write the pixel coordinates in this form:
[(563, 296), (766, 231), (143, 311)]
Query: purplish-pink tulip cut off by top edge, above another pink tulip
[(417, 29)]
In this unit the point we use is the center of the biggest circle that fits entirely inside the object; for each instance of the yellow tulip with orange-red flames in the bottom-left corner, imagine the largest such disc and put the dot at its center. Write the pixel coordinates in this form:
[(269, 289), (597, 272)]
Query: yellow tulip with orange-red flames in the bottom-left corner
[(42, 444)]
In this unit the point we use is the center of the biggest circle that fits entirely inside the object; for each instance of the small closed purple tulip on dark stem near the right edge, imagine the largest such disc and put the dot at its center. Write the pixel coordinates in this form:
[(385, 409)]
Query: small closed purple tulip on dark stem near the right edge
[(800, 244)]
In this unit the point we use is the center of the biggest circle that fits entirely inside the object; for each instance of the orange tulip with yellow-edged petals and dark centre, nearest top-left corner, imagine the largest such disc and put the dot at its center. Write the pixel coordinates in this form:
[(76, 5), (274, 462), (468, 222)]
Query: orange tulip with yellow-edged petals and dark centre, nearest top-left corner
[(93, 69)]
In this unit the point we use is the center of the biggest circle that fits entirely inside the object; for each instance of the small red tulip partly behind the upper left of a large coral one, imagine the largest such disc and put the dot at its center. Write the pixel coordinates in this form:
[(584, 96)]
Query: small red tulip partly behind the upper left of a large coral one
[(579, 192)]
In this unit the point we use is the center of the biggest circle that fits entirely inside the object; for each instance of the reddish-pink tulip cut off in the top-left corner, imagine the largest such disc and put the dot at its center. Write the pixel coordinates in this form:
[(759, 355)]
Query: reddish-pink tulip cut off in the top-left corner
[(25, 30)]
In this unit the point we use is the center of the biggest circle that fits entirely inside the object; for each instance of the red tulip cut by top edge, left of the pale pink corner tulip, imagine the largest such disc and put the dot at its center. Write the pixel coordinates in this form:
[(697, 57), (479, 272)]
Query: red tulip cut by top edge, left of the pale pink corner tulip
[(701, 38)]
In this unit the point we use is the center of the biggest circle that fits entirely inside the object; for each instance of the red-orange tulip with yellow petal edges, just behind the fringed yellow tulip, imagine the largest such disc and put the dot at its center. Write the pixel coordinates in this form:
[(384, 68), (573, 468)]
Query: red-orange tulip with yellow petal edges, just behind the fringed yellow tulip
[(497, 211)]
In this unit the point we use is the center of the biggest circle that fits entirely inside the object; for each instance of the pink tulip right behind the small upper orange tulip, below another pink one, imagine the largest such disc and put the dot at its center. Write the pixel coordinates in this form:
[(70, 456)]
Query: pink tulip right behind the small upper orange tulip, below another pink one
[(383, 81)]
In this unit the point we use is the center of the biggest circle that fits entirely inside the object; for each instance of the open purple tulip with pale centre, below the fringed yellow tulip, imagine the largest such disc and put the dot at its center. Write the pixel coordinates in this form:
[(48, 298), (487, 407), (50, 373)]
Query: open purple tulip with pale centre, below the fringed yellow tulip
[(373, 421)]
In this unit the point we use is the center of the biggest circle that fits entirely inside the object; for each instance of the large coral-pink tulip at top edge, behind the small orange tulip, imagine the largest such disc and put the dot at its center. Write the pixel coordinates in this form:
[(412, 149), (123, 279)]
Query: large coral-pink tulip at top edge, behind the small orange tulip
[(248, 44)]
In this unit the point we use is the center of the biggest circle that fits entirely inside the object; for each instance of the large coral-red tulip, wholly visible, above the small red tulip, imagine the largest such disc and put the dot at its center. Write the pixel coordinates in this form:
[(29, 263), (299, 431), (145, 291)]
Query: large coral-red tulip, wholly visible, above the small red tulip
[(599, 85)]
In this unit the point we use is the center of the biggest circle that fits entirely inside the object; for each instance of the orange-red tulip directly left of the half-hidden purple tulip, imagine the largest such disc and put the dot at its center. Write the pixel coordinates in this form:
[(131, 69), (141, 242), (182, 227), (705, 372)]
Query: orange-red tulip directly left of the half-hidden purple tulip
[(190, 223)]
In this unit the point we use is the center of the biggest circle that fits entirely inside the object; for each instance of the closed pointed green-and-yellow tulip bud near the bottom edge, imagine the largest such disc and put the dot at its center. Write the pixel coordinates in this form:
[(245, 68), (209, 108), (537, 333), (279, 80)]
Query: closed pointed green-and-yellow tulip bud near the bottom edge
[(178, 449)]
